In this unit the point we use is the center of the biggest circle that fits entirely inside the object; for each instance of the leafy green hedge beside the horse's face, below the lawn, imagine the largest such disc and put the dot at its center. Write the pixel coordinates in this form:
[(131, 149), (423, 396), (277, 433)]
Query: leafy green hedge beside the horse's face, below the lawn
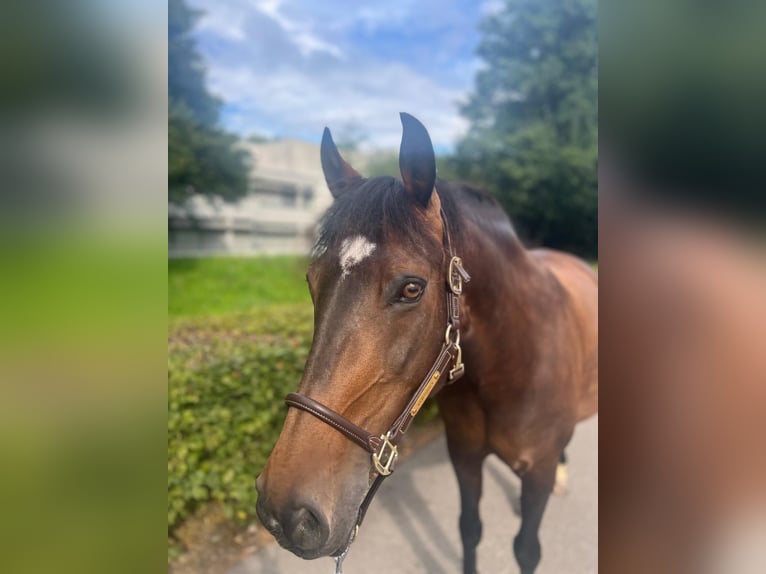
[(226, 379)]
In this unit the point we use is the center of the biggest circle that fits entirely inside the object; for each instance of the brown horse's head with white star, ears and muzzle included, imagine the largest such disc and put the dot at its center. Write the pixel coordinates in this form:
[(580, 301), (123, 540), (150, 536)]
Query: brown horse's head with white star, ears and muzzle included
[(377, 280)]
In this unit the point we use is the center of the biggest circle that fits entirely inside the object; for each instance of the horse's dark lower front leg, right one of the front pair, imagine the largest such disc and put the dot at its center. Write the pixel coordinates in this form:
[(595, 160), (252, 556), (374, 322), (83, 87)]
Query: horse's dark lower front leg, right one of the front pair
[(536, 486)]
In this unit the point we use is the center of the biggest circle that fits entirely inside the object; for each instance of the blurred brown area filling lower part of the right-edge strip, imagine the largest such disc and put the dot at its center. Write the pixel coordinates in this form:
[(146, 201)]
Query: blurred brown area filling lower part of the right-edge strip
[(683, 389)]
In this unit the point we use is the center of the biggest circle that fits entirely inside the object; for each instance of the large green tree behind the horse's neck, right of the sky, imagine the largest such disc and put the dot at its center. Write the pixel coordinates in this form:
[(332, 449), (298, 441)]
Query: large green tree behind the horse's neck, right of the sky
[(533, 139)]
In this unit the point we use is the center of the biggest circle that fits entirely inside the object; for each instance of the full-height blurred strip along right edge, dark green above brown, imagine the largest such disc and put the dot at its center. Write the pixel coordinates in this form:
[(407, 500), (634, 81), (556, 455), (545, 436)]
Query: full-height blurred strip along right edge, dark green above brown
[(682, 238)]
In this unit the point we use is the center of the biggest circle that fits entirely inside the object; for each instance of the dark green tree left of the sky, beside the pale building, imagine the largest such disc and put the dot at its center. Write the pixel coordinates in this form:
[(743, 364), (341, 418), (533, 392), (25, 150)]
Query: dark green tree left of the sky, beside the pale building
[(202, 157)]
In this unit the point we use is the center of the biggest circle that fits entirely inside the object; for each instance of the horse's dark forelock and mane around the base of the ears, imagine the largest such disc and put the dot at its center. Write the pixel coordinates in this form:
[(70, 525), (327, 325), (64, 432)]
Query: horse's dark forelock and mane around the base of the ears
[(376, 207)]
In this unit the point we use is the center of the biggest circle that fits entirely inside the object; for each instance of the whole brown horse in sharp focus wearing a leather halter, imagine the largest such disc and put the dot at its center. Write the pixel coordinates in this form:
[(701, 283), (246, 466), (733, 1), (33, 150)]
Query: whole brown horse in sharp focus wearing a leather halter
[(527, 324)]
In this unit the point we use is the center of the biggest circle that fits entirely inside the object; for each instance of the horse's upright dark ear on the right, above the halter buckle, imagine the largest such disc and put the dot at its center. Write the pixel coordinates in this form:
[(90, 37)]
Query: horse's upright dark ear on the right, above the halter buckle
[(417, 162)]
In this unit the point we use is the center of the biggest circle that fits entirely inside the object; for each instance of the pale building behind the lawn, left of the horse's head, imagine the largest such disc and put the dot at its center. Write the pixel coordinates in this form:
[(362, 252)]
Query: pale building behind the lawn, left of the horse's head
[(287, 196)]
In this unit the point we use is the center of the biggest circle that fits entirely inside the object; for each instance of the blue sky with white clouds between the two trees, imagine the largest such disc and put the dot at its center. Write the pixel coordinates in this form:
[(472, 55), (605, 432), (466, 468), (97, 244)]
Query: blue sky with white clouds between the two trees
[(287, 68)]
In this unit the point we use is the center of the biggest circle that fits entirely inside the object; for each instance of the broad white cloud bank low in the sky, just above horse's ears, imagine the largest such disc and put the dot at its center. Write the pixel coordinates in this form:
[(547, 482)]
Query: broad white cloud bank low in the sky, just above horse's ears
[(297, 102)]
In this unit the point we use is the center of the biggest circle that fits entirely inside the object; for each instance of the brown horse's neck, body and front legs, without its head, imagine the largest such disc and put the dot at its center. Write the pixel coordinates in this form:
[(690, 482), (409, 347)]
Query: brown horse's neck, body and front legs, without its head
[(531, 343)]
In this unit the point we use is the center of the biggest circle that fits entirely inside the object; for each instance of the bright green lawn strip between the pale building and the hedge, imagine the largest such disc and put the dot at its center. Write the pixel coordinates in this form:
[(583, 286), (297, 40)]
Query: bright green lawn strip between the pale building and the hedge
[(222, 285)]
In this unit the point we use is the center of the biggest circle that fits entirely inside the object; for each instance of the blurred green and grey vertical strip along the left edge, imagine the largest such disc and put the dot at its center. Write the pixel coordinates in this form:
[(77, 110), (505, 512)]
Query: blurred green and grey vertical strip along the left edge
[(83, 151)]
